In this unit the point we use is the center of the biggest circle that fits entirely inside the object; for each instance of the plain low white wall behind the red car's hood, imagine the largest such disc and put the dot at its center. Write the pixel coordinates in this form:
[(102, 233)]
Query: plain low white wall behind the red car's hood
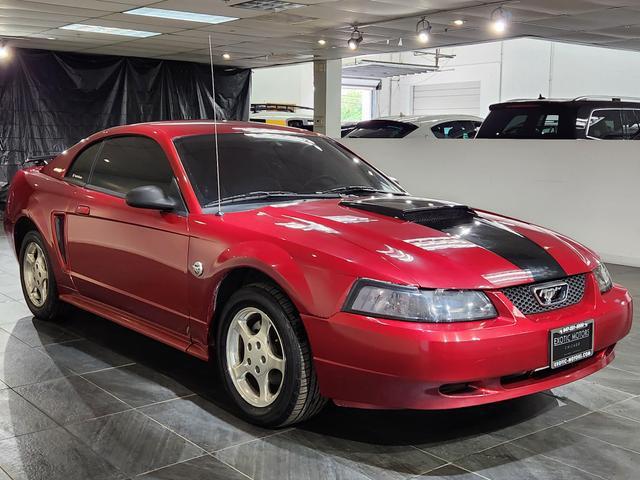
[(586, 190)]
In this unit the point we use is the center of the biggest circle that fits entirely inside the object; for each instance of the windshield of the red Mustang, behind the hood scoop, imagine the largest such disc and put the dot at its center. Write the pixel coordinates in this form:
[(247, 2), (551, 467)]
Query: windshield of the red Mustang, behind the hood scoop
[(274, 161)]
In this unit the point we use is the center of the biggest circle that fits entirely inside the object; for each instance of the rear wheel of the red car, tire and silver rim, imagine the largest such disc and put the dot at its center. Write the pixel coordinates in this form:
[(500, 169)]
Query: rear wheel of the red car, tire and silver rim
[(48, 306)]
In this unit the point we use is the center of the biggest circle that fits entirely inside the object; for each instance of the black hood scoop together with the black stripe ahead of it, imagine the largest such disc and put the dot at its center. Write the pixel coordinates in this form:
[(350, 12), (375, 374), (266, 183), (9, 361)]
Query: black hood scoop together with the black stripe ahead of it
[(465, 223)]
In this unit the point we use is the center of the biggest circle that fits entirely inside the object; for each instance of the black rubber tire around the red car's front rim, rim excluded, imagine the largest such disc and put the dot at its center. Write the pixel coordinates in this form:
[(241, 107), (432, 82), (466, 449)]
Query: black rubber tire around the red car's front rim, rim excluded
[(278, 412)]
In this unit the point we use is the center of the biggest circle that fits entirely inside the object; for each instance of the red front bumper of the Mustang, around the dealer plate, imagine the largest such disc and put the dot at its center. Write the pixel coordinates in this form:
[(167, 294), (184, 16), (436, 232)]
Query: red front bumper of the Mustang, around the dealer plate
[(375, 363)]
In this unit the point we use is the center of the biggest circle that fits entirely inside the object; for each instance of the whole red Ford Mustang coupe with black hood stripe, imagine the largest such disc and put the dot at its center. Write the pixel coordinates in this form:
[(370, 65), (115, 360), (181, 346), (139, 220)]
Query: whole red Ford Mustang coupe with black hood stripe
[(312, 276)]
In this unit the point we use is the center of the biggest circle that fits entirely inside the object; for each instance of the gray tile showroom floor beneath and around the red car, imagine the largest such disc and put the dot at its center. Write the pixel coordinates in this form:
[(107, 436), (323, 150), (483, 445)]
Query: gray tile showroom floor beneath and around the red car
[(86, 399)]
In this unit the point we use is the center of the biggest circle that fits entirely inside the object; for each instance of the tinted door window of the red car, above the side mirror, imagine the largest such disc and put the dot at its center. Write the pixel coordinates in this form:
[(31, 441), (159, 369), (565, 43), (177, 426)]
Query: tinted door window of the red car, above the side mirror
[(129, 162)]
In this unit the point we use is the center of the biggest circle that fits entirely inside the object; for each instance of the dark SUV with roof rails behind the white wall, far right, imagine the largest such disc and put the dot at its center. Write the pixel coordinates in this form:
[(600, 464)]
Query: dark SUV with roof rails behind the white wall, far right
[(581, 118)]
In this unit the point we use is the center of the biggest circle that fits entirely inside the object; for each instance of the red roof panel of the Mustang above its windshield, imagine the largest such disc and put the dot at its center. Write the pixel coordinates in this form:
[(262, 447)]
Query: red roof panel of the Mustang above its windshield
[(182, 128)]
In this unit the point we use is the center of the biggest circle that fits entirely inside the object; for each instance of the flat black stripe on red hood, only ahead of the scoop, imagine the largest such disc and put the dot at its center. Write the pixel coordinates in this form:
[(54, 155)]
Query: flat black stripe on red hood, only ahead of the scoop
[(510, 245)]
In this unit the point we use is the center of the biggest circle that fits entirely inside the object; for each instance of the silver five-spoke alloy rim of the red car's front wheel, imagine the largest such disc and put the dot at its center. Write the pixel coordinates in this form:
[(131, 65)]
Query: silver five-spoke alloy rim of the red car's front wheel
[(254, 365)]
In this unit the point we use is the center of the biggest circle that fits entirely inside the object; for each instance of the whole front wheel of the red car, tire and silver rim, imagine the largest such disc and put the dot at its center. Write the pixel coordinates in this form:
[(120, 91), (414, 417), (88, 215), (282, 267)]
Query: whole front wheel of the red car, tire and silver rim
[(297, 395)]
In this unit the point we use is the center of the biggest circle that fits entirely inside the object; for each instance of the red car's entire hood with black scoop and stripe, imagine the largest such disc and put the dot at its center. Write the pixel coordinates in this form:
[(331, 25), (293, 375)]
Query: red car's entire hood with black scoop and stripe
[(431, 243)]
